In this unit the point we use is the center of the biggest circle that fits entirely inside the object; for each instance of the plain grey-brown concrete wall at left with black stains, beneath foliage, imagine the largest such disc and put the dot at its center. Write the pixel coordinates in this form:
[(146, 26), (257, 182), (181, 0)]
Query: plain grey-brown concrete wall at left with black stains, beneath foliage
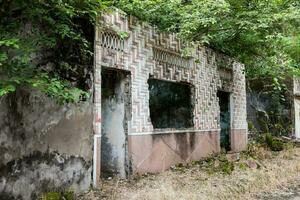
[(43, 146)]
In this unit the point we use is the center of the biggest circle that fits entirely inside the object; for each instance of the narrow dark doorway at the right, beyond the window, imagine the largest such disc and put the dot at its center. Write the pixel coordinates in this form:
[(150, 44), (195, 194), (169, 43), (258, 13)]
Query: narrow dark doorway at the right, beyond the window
[(224, 103)]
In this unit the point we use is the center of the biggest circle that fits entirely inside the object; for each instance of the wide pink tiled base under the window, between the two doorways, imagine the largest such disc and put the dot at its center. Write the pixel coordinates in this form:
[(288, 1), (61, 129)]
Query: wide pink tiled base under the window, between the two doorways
[(157, 152)]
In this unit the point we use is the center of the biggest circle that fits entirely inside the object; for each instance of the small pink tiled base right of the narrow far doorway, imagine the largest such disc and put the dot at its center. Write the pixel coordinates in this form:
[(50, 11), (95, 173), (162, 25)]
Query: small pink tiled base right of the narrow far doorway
[(239, 140)]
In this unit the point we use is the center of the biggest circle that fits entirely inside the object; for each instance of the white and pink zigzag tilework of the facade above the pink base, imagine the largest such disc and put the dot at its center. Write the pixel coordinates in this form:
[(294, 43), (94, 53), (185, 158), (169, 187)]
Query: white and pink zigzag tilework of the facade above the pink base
[(140, 56)]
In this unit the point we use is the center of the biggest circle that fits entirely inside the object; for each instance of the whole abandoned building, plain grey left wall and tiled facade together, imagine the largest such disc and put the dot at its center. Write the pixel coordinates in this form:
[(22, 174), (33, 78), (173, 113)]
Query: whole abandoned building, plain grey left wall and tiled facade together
[(152, 108)]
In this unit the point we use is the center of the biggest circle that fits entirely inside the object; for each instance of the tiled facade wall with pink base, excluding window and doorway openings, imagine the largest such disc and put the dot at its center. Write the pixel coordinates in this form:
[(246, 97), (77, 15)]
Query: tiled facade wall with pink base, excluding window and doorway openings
[(147, 53)]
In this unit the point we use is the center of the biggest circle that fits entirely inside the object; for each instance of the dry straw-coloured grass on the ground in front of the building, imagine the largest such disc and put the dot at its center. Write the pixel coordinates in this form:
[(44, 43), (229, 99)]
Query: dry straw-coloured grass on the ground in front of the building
[(195, 182)]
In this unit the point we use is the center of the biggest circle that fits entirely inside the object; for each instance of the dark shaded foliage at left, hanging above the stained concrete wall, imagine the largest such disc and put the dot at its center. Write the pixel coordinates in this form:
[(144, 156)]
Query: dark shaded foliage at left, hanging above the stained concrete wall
[(48, 44)]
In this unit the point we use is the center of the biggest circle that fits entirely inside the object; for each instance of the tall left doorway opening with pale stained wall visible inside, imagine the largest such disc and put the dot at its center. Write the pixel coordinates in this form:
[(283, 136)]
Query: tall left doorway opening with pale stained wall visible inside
[(115, 114)]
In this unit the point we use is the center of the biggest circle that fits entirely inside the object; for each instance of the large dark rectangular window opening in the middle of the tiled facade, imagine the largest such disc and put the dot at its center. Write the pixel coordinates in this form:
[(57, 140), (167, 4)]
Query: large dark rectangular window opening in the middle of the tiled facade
[(170, 104)]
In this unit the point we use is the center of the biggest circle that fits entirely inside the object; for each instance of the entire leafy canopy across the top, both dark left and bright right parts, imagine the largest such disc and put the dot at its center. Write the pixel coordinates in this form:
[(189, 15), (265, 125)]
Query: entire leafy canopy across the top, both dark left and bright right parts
[(48, 44)]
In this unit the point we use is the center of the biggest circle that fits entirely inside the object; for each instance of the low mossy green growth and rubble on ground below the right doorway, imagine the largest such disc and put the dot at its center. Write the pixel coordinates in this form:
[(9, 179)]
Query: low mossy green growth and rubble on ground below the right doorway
[(262, 147)]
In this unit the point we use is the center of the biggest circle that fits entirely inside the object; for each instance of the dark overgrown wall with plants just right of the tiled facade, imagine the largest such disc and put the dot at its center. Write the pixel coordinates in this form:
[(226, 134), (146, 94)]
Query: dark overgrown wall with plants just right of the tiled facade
[(271, 101)]
